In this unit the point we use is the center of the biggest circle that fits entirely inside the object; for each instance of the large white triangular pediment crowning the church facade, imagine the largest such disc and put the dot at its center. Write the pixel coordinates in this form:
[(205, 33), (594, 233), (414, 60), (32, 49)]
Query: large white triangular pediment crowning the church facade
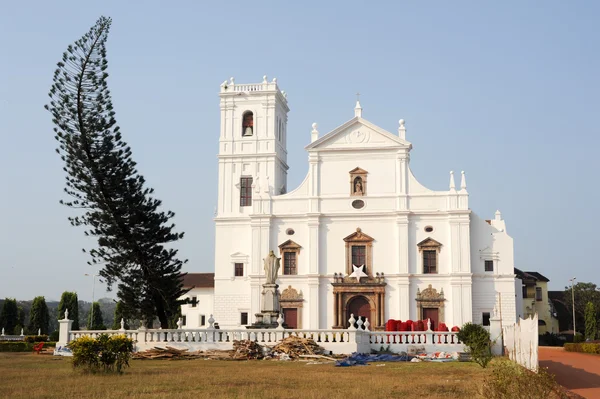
[(358, 133)]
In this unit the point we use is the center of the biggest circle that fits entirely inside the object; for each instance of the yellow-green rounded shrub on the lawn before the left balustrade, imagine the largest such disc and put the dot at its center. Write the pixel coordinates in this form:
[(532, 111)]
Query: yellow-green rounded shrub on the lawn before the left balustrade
[(108, 354)]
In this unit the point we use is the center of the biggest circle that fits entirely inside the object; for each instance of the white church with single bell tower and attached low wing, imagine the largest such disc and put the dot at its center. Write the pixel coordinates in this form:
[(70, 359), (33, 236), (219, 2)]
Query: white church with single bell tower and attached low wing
[(359, 235)]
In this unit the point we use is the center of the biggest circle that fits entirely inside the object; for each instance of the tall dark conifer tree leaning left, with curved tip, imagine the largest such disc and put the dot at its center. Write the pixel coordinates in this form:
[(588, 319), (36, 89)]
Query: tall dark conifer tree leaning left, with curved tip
[(103, 182)]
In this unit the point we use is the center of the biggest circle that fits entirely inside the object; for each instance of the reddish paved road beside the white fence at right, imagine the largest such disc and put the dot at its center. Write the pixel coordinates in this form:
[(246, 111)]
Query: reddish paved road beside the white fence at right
[(578, 372)]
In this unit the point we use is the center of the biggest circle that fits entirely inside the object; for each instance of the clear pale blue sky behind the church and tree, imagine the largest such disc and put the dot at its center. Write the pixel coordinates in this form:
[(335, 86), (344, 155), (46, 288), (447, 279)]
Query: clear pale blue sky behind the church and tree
[(506, 91)]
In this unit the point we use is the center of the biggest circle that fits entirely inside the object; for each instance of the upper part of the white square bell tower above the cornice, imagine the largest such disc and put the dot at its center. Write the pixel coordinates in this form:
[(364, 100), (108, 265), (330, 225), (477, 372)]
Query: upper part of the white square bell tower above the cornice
[(252, 144)]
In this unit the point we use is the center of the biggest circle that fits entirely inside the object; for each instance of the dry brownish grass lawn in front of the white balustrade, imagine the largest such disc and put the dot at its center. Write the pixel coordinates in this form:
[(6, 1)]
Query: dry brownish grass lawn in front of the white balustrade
[(24, 375)]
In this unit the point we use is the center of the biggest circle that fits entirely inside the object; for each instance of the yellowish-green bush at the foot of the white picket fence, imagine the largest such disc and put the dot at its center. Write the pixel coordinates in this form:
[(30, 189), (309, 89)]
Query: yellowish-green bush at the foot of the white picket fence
[(510, 380)]
